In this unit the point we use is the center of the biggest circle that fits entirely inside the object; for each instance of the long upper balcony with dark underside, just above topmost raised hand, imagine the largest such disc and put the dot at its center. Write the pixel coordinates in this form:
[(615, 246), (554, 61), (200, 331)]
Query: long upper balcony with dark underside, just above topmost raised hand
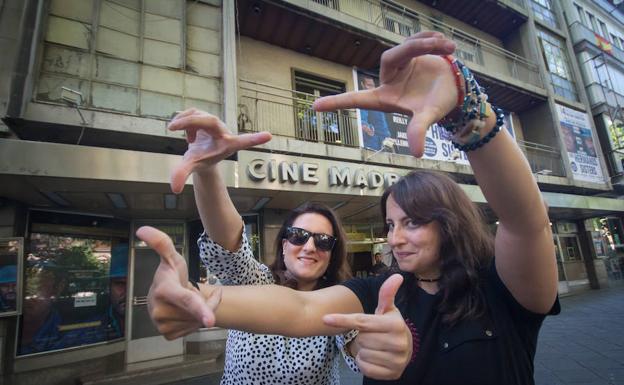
[(356, 32)]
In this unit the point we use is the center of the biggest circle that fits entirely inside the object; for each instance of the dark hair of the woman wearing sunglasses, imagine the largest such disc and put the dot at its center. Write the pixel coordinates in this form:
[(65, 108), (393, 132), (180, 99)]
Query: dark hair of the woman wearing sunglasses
[(338, 269)]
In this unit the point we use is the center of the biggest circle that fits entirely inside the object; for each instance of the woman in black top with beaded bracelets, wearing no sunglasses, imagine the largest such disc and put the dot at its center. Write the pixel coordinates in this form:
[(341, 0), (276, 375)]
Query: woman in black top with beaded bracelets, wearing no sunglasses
[(471, 304)]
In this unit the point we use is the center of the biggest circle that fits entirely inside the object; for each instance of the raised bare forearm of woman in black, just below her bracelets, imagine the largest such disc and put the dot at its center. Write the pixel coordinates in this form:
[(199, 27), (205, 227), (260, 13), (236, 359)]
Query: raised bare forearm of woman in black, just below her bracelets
[(505, 177)]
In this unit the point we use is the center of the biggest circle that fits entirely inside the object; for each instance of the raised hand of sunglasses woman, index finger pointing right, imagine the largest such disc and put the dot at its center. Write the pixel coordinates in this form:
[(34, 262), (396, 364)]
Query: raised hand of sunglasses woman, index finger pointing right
[(209, 143)]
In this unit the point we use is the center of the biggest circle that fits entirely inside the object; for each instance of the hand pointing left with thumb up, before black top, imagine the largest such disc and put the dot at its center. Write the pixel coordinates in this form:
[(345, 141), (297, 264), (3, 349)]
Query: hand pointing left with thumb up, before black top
[(383, 346)]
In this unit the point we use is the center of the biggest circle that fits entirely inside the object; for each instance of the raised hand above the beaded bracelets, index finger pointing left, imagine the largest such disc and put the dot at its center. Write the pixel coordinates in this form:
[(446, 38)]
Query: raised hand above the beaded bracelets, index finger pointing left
[(414, 80)]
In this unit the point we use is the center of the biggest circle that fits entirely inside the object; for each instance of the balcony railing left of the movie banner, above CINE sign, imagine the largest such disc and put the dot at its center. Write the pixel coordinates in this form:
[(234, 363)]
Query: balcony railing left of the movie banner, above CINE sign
[(289, 113)]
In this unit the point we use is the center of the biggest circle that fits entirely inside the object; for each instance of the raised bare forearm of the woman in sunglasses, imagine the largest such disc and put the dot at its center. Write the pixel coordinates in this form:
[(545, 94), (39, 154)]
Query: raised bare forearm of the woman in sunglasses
[(219, 217)]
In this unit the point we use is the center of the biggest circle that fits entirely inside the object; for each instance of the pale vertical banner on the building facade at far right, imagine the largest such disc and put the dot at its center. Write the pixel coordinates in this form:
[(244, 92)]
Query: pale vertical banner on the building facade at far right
[(577, 136)]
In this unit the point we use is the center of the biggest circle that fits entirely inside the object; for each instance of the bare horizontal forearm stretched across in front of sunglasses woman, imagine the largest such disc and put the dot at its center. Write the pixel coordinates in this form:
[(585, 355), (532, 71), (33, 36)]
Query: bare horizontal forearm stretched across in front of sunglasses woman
[(273, 309)]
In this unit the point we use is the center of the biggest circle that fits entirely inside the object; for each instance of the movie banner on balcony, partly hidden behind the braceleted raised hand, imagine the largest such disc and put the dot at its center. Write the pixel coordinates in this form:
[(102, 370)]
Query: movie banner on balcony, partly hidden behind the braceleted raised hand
[(377, 127)]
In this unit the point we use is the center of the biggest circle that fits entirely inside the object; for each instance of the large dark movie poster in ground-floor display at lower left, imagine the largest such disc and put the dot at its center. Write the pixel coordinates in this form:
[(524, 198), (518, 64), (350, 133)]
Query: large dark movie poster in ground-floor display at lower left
[(74, 292)]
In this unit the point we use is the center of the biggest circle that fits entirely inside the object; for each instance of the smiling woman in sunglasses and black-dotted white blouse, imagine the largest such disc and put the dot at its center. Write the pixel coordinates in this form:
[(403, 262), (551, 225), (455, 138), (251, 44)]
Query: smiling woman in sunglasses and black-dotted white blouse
[(310, 255)]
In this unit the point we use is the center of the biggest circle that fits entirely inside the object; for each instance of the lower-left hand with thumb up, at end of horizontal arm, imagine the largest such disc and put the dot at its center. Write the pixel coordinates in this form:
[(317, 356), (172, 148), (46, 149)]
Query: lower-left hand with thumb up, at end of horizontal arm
[(175, 306)]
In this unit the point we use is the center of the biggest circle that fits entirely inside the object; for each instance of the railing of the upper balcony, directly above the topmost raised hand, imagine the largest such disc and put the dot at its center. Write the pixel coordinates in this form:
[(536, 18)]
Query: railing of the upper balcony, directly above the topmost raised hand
[(404, 21)]
